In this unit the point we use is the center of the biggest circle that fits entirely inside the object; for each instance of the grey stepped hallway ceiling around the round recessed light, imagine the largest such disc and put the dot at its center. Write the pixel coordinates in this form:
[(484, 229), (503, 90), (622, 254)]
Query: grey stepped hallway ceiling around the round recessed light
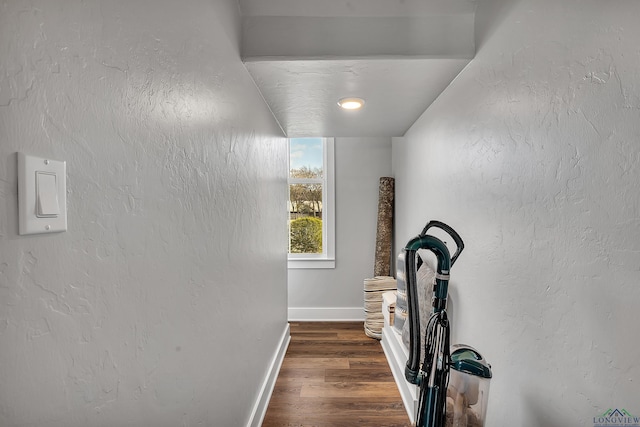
[(398, 55)]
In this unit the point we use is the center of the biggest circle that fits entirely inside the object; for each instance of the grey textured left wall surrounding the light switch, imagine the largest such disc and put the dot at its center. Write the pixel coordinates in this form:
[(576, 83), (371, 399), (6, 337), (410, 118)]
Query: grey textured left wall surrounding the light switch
[(149, 310)]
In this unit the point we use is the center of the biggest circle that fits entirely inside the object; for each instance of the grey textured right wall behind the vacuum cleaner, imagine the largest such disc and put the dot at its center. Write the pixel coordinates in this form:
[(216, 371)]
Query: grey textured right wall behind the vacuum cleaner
[(532, 154)]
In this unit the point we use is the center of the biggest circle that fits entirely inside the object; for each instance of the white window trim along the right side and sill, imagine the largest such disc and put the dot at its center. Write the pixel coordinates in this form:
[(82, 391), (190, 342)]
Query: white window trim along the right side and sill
[(327, 258)]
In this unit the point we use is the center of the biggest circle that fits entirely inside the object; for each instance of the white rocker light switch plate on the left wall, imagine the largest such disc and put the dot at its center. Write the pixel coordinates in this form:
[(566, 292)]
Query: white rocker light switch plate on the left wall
[(42, 195)]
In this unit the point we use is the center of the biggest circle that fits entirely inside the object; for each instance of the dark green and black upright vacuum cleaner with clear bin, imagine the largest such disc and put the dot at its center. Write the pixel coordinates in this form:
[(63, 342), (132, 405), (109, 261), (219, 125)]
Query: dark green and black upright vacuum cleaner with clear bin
[(453, 380)]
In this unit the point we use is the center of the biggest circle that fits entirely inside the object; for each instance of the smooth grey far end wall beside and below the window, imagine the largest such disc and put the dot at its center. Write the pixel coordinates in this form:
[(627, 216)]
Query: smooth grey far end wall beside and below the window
[(359, 164)]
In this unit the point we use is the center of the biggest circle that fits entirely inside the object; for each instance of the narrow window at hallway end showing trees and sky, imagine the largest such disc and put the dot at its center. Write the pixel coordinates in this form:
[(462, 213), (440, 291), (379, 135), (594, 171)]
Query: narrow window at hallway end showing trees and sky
[(311, 203)]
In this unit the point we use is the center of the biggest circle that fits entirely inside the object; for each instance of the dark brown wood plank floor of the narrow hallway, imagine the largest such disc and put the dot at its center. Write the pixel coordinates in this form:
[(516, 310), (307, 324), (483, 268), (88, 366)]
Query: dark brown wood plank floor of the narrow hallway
[(334, 375)]
